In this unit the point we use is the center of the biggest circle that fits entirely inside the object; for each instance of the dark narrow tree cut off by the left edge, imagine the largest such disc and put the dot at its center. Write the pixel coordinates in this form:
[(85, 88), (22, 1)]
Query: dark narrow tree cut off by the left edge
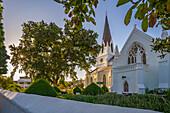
[(3, 52)]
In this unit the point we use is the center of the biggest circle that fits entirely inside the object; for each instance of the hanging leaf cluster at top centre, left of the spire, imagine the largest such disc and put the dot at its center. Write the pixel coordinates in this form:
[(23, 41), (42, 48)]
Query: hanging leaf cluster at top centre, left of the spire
[(80, 10)]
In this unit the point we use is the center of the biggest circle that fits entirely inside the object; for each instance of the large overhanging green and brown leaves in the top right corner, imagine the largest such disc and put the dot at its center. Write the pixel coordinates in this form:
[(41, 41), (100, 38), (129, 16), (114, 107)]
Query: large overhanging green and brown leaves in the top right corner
[(158, 12)]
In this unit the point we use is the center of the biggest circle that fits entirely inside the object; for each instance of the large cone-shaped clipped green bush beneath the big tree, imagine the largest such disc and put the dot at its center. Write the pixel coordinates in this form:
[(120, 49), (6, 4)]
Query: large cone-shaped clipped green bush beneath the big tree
[(41, 87)]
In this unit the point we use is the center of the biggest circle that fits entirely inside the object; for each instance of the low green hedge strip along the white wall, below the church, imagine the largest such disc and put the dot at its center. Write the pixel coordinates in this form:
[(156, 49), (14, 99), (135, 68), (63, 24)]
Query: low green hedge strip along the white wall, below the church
[(150, 102)]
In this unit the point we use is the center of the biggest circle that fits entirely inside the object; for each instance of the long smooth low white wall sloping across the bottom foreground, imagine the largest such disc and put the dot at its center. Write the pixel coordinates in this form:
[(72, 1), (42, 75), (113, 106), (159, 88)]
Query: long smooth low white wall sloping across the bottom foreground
[(41, 104)]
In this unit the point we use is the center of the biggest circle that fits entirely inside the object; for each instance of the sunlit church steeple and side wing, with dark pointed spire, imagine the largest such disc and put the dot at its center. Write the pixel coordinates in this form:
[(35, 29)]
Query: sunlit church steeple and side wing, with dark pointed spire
[(101, 75)]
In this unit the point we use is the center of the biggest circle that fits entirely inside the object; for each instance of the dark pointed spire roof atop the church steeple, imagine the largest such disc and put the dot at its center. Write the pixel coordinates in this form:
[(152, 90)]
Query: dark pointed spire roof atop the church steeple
[(106, 35)]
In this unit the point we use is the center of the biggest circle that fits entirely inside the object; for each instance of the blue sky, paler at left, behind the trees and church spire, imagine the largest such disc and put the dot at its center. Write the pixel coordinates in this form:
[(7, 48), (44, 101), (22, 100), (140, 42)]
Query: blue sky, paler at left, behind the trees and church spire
[(16, 12)]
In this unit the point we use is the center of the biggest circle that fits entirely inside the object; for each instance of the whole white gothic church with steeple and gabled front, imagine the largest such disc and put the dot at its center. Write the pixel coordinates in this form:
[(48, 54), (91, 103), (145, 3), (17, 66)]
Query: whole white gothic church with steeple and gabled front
[(132, 69)]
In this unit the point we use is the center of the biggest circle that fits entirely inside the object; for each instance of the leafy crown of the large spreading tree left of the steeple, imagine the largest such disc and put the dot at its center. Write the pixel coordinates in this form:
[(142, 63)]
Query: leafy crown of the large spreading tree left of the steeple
[(50, 52)]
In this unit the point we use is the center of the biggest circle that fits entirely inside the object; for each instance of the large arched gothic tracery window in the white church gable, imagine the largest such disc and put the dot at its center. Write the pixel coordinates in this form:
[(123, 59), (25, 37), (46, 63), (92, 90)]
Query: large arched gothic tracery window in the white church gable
[(132, 53)]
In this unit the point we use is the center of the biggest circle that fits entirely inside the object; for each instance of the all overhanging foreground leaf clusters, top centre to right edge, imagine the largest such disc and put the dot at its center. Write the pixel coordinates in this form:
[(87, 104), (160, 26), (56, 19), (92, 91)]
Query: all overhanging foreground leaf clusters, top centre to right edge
[(150, 12)]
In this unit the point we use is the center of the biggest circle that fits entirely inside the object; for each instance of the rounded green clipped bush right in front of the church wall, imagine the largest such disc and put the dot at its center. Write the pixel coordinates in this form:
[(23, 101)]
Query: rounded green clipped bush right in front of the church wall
[(93, 89)]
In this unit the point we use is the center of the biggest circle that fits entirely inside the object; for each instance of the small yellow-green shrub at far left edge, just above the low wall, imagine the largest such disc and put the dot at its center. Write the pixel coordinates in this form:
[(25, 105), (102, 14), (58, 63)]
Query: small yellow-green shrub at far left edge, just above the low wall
[(4, 83)]
